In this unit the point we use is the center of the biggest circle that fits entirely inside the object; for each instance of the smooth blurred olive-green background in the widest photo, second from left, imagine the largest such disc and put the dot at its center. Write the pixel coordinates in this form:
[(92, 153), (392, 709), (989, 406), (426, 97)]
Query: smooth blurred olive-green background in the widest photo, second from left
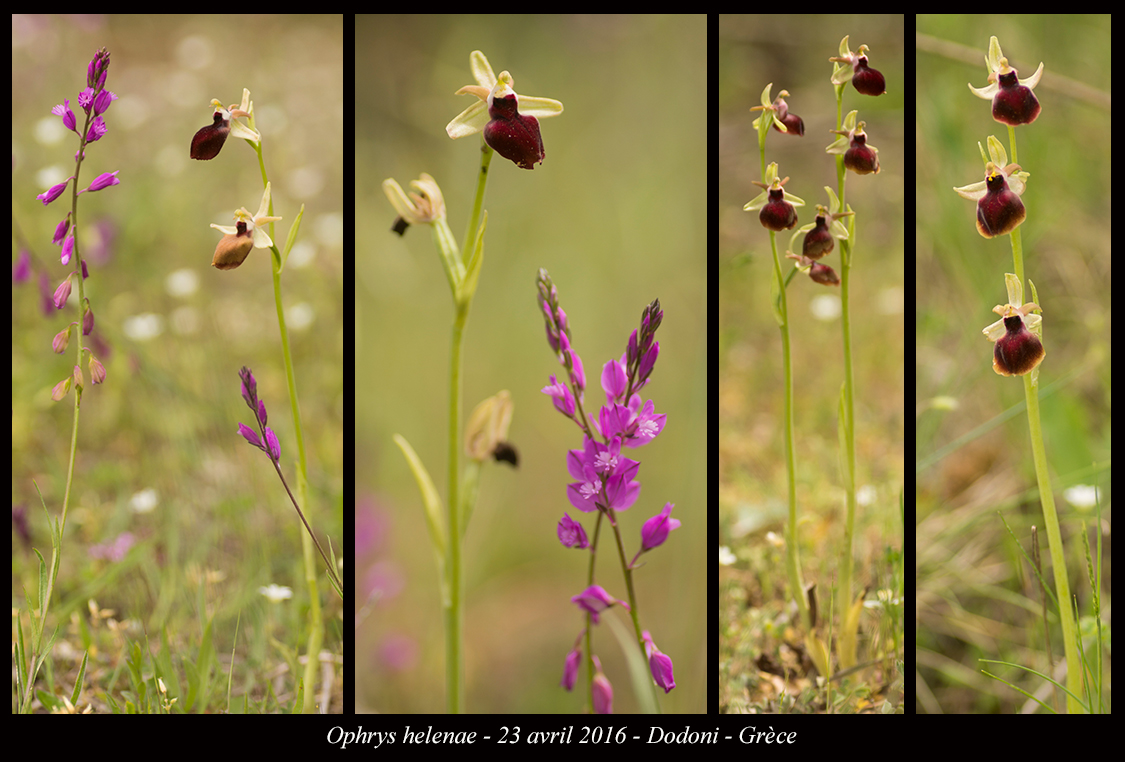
[(617, 214)]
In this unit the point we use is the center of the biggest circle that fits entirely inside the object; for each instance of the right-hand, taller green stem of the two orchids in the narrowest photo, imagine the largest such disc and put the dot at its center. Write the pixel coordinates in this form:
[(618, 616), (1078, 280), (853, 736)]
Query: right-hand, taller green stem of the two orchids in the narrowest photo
[(844, 594)]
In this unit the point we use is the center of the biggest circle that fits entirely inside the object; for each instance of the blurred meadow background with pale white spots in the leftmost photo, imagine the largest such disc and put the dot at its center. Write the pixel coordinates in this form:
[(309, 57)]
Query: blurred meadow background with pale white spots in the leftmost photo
[(178, 330)]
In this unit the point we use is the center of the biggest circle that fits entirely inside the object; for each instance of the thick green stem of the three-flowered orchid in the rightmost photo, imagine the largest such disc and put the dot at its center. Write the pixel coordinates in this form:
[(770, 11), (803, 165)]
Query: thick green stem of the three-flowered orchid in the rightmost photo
[(1047, 498)]
